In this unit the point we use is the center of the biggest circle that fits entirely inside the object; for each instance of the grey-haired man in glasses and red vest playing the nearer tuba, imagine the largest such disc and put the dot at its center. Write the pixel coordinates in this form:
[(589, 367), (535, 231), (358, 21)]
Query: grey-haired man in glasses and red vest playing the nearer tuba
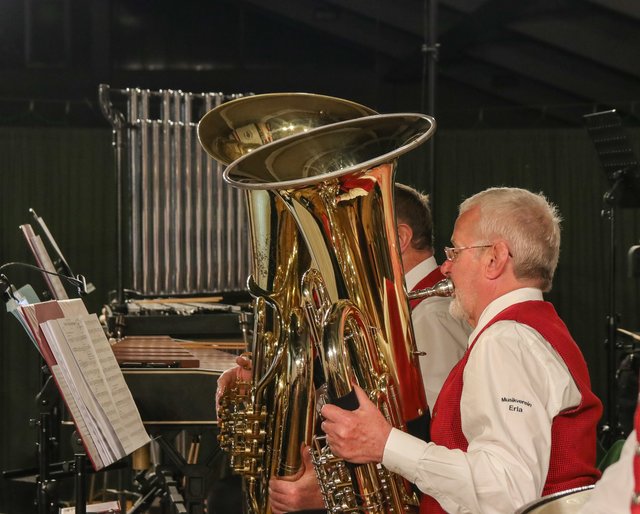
[(516, 418)]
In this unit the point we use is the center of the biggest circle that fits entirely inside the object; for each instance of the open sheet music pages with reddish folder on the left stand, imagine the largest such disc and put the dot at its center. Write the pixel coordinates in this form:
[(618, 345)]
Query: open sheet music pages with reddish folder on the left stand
[(74, 344)]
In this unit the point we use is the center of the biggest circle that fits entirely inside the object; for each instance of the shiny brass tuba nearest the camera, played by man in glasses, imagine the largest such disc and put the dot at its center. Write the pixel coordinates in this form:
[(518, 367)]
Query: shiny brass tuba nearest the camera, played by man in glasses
[(337, 183)]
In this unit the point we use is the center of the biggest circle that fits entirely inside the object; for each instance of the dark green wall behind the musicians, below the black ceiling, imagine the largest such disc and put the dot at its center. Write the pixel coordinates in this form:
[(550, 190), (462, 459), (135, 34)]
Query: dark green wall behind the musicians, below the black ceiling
[(66, 175)]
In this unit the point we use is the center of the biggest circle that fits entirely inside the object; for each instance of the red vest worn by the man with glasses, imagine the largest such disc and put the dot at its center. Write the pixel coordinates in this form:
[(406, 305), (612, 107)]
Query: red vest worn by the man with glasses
[(573, 432)]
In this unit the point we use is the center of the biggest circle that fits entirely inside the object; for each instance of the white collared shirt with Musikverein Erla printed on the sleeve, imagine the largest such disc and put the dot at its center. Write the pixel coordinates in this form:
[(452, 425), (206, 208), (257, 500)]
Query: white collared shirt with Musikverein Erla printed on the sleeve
[(506, 463)]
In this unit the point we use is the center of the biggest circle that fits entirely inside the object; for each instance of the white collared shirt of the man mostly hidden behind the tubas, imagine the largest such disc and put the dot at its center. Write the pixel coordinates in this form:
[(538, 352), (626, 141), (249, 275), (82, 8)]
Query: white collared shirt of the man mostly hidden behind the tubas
[(441, 337)]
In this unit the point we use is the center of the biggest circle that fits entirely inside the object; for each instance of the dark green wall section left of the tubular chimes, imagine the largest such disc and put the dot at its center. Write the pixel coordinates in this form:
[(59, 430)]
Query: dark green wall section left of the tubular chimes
[(65, 176)]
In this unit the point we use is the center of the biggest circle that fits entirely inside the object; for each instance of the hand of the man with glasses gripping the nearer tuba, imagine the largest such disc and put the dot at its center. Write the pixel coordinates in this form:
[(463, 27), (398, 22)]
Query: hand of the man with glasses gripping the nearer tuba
[(357, 436)]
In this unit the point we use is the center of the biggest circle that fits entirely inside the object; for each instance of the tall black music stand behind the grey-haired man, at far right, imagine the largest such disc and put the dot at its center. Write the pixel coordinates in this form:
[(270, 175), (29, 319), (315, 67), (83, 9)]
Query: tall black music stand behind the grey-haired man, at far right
[(622, 171)]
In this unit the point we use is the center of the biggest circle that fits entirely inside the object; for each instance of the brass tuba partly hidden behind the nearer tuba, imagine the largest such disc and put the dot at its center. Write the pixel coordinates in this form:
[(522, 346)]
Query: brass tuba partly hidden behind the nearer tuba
[(263, 425)]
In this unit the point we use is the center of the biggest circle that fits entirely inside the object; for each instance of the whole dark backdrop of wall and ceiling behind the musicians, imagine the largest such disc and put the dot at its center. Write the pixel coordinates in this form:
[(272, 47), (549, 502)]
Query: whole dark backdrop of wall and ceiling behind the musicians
[(512, 84)]
